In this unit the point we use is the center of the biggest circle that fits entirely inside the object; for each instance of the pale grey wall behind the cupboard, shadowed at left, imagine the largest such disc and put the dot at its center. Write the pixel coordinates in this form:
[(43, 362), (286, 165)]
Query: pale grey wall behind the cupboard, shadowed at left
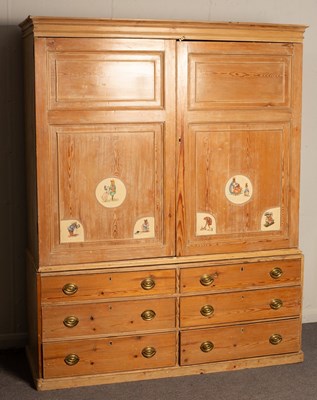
[(12, 210)]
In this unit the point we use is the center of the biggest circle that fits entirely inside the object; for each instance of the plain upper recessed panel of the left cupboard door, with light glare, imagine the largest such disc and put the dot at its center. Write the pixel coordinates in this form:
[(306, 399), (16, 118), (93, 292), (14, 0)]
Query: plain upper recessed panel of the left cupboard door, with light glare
[(106, 74)]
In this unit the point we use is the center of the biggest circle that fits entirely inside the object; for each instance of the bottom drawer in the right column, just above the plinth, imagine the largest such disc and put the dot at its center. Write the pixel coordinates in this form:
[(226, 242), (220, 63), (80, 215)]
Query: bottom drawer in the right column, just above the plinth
[(241, 341)]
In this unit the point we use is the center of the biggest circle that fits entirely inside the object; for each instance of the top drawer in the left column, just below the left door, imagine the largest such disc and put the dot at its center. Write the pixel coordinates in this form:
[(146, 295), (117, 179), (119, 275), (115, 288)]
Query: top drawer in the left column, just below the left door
[(106, 285)]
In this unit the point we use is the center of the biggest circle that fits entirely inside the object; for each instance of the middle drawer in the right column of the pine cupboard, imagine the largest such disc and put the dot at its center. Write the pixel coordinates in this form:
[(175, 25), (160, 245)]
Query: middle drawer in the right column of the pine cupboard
[(240, 306)]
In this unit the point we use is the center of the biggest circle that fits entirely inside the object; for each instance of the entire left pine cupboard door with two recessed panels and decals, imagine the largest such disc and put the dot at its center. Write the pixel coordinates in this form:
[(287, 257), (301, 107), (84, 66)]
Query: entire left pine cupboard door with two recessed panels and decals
[(107, 150)]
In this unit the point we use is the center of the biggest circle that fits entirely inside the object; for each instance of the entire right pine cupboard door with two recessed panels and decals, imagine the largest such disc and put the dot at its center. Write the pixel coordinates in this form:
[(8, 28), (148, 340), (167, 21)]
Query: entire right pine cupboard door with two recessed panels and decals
[(239, 127)]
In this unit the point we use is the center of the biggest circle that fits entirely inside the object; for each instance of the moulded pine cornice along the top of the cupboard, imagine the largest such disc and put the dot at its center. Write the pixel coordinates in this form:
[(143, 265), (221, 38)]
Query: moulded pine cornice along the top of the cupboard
[(177, 30)]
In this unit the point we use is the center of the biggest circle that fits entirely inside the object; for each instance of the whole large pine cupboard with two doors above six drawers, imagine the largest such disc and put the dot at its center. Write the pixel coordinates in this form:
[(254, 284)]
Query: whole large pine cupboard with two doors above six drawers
[(163, 193)]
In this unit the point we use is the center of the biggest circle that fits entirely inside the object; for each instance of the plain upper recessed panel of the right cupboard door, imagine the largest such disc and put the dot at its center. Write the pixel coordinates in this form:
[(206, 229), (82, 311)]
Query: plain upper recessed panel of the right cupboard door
[(230, 76)]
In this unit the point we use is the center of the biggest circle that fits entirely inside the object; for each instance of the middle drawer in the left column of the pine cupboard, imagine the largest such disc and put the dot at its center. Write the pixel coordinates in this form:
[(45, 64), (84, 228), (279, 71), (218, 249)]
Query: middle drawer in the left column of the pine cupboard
[(71, 321)]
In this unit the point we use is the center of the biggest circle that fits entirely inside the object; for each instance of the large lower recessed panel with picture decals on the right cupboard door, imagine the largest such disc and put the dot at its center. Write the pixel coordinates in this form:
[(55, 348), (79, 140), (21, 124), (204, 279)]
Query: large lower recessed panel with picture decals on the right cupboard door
[(238, 177)]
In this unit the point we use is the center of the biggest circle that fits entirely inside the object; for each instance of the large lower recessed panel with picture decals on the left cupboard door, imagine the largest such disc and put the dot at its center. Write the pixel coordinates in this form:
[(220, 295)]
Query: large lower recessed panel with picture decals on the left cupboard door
[(109, 188)]
